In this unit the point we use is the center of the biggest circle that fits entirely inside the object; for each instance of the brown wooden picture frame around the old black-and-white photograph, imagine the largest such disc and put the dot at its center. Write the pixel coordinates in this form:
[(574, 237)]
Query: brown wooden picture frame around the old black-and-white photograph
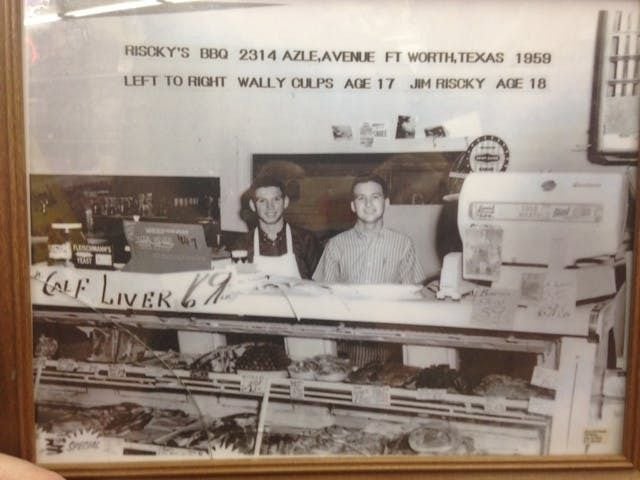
[(16, 396)]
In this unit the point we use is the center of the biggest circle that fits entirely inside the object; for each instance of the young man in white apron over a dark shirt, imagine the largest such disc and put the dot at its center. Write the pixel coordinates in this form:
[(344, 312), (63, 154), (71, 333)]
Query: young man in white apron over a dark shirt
[(276, 247)]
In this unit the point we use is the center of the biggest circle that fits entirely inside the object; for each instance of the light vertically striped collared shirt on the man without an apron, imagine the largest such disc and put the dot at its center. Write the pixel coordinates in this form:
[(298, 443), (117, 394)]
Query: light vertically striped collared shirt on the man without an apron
[(356, 256)]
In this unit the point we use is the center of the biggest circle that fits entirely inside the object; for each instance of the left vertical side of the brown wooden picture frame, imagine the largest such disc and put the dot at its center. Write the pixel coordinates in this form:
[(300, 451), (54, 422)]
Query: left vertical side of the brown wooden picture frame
[(16, 399)]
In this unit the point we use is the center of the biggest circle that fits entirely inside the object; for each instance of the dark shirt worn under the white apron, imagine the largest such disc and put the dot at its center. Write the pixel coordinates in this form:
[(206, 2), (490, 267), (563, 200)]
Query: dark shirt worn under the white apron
[(306, 248)]
